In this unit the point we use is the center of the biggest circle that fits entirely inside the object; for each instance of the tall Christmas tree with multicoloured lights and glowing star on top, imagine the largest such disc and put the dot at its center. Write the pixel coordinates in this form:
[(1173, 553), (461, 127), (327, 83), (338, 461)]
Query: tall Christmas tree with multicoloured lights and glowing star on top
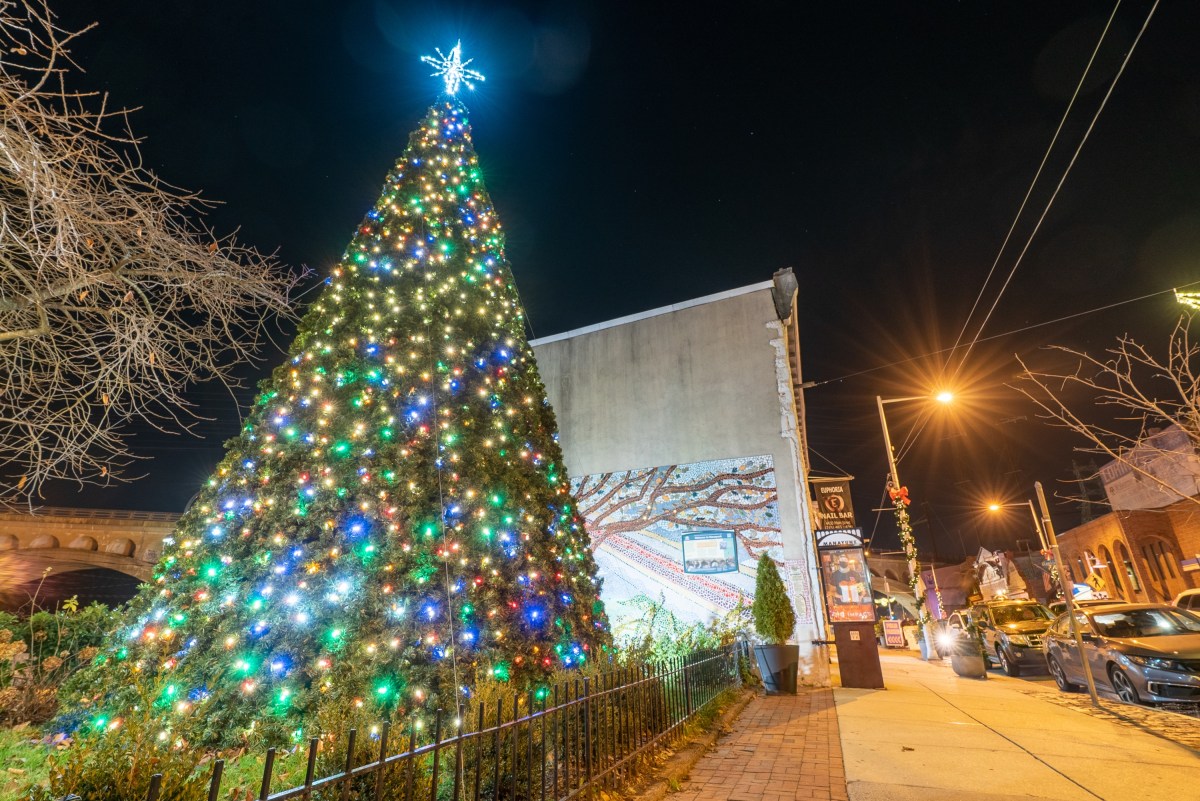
[(395, 520)]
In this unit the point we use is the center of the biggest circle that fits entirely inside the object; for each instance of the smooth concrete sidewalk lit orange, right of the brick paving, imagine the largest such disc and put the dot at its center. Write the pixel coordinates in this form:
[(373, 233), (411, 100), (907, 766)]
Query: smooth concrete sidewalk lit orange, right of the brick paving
[(933, 734)]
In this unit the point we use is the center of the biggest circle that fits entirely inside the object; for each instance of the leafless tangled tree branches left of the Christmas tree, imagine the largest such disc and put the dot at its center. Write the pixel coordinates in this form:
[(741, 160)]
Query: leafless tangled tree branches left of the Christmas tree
[(113, 299)]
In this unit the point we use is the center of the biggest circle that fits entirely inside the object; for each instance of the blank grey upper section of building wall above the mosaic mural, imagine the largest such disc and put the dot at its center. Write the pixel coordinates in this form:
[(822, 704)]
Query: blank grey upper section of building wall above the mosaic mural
[(685, 387)]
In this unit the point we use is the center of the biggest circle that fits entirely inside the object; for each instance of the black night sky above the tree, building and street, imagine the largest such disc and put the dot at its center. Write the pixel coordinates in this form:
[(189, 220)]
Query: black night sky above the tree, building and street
[(640, 158)]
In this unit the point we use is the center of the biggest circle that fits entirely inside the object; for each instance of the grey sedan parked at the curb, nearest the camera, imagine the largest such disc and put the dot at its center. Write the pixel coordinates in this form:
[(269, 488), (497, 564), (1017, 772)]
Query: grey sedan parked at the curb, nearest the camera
[(1144, 653)]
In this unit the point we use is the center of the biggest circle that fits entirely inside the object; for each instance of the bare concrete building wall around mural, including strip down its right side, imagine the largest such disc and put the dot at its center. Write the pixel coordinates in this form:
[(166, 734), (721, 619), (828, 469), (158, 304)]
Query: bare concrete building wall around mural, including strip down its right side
[(703, 382)]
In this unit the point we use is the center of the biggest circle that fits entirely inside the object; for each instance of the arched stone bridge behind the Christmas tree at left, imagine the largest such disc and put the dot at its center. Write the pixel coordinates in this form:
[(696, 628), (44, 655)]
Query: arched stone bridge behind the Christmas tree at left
[(95, 555)]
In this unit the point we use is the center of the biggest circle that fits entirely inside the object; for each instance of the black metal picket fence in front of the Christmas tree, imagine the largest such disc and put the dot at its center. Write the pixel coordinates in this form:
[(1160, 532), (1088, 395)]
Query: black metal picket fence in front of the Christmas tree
[(549, 746)]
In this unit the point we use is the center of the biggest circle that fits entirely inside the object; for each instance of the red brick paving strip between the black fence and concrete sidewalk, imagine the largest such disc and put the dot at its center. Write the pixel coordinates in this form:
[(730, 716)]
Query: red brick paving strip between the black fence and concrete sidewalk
[(782, 748)]
